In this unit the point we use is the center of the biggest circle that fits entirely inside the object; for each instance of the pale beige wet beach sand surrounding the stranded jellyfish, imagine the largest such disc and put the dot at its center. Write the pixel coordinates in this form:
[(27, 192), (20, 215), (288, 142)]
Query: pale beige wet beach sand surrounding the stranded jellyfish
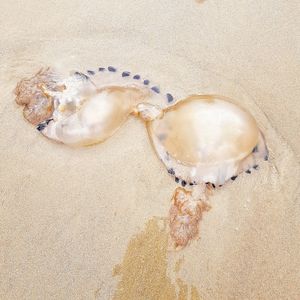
[(68, 215)]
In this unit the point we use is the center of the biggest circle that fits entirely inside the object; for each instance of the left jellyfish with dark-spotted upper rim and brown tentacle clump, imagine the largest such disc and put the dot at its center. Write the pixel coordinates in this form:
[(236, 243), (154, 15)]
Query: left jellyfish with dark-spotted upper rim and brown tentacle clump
[(80, 109)]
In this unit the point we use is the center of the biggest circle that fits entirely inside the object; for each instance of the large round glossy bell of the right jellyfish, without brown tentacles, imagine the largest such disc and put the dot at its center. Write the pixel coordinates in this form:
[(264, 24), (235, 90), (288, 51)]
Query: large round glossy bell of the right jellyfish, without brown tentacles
[(206, 139)]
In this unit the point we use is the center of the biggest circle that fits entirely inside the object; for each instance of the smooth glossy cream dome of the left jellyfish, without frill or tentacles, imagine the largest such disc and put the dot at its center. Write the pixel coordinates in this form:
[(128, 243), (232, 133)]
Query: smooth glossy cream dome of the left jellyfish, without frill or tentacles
[(95, 118)]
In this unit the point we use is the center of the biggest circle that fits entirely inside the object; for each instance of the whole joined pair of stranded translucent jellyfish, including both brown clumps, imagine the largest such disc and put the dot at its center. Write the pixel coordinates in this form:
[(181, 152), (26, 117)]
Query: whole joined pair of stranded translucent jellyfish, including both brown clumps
[(203, 140)]
